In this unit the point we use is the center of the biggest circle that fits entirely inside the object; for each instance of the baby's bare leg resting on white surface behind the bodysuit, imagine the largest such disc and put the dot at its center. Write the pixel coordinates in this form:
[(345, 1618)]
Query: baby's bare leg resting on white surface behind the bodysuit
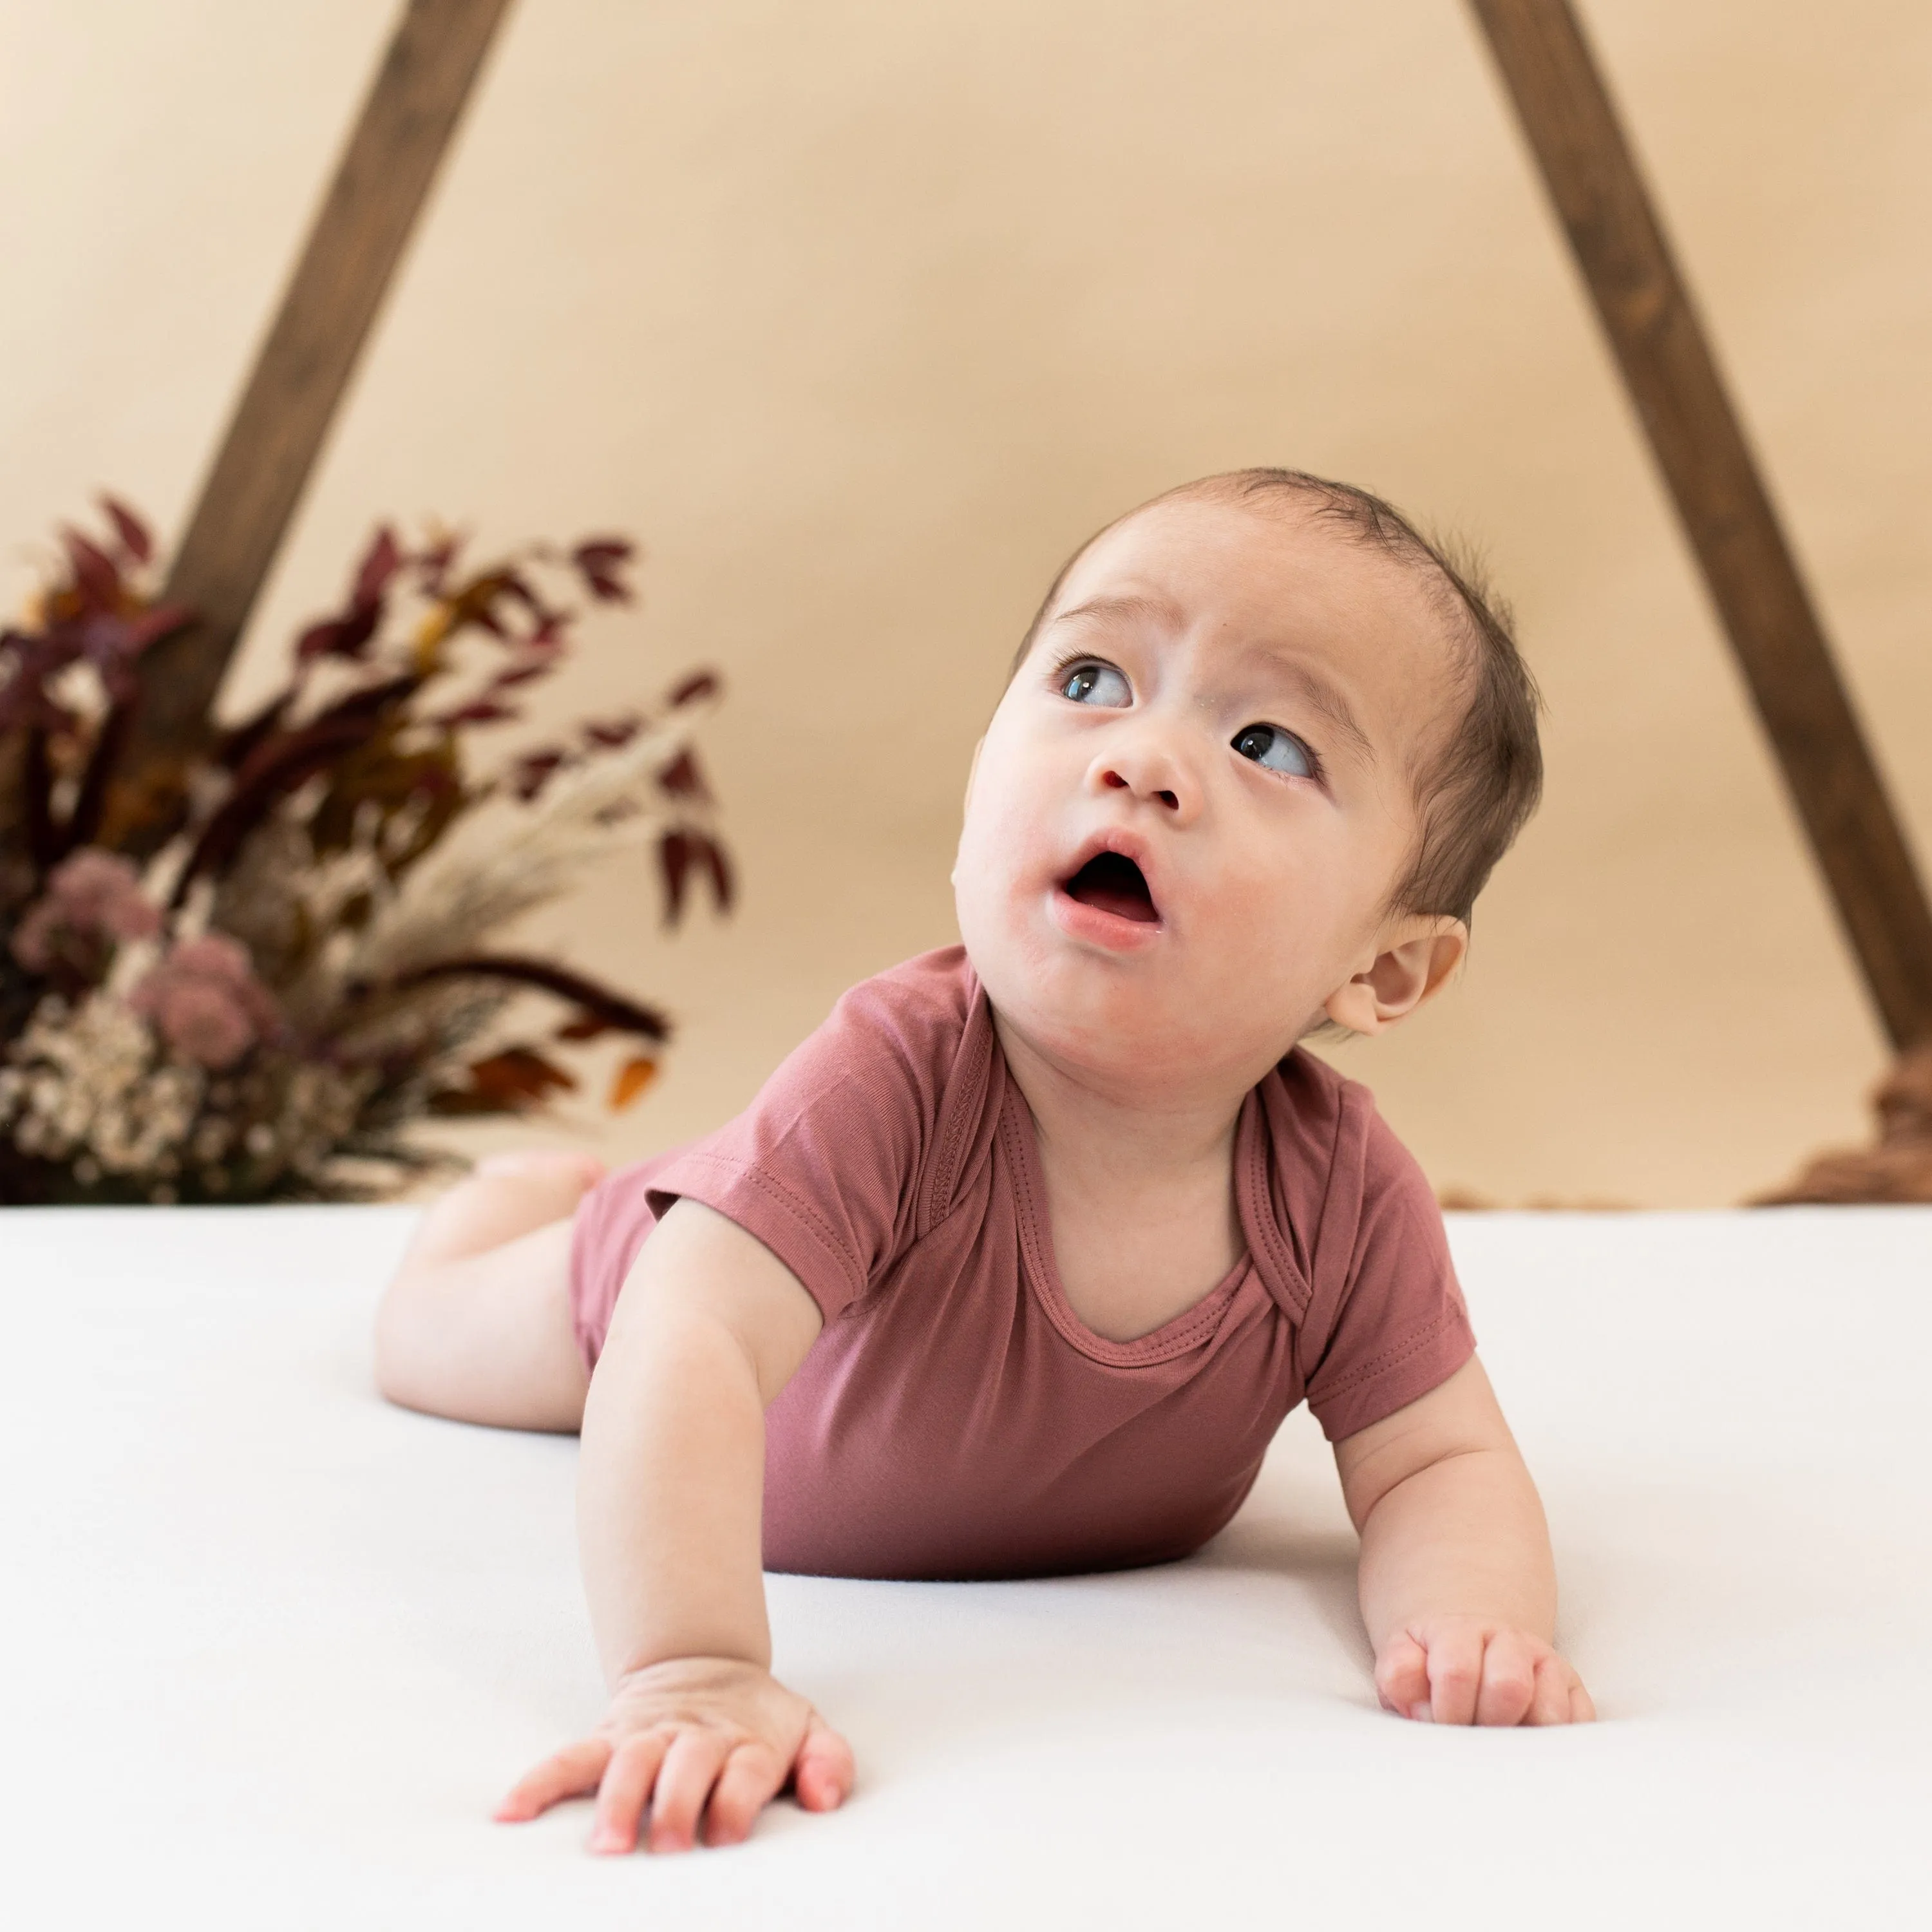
[(476, 1324)]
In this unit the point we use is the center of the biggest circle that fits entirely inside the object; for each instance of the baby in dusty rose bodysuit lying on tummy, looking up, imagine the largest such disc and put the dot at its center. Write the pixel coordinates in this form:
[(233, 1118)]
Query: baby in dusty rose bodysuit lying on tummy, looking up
[(1021, 1259)]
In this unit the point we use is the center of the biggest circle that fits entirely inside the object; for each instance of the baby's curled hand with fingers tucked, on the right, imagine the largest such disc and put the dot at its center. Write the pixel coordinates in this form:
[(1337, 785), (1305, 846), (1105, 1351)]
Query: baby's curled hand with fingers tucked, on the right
[(1469, 1670)]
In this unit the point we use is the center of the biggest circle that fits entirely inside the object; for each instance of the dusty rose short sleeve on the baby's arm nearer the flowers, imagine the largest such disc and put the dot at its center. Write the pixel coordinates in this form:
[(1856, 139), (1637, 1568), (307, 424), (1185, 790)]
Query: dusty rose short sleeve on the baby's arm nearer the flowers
[(822, 1168)]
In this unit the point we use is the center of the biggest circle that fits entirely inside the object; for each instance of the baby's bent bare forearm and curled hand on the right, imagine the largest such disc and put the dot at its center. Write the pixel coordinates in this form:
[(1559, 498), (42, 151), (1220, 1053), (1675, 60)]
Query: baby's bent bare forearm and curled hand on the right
[(1458, 1585)]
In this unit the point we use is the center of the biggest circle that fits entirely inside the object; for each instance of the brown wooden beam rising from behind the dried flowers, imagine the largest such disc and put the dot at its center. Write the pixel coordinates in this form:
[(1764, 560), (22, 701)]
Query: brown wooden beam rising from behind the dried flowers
[(306, 362)]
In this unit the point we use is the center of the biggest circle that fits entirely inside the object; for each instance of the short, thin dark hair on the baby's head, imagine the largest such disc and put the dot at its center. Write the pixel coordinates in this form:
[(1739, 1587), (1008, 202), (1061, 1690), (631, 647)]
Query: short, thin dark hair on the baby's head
[(1479, 787)]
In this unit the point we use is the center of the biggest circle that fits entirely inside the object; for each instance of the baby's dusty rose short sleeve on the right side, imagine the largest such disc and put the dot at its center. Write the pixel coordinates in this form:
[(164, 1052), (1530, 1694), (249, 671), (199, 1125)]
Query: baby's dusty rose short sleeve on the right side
[(1402, 1326)]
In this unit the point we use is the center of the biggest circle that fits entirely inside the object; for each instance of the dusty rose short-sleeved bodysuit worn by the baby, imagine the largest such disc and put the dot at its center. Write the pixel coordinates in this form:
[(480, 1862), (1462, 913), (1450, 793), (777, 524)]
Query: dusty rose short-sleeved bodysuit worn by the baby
[(955, 1417)]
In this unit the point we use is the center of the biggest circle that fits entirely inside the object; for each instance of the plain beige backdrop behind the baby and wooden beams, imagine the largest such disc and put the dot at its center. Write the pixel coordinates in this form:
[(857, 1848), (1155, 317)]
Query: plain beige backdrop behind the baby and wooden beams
[(863, 314)]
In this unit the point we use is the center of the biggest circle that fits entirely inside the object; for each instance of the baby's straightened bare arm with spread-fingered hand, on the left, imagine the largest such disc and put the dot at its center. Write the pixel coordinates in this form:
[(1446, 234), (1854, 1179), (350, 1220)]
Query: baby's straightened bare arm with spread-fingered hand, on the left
[(669, 1500)]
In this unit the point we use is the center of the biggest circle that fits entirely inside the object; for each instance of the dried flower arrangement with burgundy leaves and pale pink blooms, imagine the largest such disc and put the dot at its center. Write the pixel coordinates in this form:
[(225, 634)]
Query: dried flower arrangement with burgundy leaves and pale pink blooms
[(250, 977)]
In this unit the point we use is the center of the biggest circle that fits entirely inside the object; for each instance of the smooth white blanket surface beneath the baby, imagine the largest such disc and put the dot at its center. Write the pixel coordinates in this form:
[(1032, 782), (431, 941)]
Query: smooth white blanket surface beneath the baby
[(273, 1649)]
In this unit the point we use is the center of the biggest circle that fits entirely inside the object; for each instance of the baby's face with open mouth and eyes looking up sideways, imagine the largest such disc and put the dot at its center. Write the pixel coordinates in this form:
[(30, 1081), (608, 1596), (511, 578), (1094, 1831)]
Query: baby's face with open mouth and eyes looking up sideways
[(1197, 797)]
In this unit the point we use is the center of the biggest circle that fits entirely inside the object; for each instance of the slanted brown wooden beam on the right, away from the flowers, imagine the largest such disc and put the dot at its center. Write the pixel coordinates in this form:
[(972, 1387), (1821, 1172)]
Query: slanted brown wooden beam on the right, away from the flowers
[(1726, 511)]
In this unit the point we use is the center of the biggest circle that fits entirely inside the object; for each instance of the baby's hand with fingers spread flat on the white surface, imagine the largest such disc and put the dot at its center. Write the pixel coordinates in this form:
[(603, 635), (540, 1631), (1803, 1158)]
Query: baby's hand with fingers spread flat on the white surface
[(689, 1732)]
